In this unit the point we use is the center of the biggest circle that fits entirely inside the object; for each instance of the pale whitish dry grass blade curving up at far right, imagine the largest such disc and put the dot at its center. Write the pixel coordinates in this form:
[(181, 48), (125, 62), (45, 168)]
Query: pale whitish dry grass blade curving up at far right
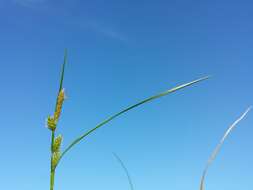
[(218, 147)]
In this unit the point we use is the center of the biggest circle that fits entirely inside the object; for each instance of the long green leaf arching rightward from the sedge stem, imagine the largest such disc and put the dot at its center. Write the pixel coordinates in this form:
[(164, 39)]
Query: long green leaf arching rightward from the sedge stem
[(76, 141)]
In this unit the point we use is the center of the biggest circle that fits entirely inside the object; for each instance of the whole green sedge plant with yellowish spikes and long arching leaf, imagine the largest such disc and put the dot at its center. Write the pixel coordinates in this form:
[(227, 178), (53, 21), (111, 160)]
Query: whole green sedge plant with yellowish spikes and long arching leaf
[(52, 121)]
